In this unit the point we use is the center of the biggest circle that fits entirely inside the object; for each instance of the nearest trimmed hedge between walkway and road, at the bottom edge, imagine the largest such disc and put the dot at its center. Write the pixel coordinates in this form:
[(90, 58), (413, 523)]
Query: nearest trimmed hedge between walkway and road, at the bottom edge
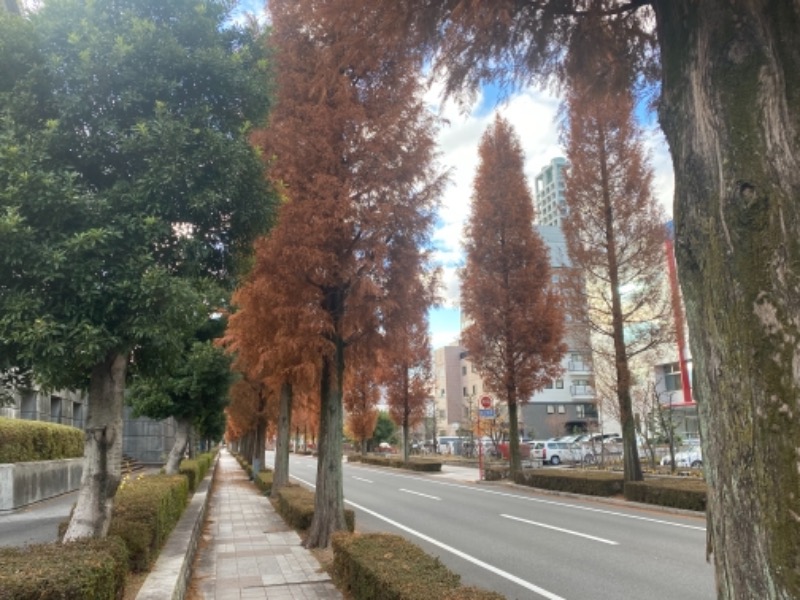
[(384, 566)]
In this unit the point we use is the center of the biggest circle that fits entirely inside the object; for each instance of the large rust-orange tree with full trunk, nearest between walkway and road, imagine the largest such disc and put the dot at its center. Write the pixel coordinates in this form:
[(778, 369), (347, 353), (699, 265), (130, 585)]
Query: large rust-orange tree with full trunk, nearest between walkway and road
[(351, 144)]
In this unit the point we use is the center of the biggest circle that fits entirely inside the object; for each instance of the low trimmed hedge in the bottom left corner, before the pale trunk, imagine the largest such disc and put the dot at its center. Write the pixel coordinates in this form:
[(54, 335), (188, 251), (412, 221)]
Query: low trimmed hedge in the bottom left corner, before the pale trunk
[(84, 570)]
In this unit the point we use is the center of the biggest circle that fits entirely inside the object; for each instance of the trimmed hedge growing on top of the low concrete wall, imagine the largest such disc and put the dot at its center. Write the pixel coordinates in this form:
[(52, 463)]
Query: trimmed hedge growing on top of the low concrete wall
[(26, 441)]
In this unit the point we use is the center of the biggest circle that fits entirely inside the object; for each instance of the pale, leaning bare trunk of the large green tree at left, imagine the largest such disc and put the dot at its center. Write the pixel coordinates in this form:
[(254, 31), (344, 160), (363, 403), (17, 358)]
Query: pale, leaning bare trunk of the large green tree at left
[(102, 455)]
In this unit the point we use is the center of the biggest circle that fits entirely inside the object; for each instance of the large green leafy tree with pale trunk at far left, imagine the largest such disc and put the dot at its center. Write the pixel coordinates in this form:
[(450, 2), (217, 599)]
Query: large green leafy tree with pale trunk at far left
[(127, 184)]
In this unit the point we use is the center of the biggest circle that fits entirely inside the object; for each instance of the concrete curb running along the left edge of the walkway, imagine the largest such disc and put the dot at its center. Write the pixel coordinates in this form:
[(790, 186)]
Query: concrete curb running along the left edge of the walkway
[(172, 570)]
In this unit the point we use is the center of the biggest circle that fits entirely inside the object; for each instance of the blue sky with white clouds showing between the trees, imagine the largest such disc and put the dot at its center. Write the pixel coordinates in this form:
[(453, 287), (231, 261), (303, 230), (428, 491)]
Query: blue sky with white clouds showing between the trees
[(533, 114)]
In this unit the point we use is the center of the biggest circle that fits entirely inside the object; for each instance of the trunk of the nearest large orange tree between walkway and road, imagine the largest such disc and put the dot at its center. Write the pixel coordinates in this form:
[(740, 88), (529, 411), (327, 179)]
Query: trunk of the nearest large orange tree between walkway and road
[(329, 495)]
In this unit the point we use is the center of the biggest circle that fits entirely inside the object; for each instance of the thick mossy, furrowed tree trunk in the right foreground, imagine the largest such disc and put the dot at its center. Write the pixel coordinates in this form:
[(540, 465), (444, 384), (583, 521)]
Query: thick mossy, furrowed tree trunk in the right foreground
[(731, 114)]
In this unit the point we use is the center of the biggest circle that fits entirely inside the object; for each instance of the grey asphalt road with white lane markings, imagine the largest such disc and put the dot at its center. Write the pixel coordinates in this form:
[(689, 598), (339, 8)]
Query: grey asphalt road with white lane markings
[(524, 544)]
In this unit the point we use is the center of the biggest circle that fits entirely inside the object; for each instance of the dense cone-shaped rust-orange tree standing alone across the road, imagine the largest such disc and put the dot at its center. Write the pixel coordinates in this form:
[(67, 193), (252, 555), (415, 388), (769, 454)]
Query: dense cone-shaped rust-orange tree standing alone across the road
[(514, 335)]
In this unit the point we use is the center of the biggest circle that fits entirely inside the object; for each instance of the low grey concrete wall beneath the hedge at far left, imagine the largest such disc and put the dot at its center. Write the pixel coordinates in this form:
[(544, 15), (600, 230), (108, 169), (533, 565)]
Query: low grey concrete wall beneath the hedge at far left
[(25, 483)]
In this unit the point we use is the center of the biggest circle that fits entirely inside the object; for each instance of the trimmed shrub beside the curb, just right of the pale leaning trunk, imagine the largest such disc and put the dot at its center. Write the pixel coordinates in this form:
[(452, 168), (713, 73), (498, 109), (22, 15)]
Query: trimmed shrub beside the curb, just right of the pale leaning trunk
[(146, 510)]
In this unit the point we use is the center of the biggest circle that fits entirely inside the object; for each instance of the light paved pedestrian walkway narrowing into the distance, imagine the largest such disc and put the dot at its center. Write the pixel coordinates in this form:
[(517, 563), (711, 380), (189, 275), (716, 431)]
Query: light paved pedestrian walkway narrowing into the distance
[(248, 552)]
